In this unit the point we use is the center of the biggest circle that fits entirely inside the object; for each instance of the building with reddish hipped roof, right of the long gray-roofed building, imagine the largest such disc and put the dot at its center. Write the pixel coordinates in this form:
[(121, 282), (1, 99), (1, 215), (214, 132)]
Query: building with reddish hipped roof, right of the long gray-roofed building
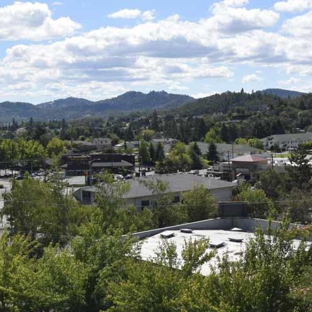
[(249, 166)]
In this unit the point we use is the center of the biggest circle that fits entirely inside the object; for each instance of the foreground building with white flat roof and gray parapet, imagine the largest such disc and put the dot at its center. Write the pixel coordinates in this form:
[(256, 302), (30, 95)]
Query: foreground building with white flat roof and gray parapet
[(226, 236)]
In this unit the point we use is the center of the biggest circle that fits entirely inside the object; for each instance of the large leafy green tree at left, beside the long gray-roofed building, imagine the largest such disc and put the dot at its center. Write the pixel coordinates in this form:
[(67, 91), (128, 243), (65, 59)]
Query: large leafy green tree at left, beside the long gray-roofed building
[(34, 207)]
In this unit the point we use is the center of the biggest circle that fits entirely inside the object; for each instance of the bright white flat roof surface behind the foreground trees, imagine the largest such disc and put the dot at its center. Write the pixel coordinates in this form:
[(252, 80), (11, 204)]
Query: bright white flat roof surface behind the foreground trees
[(234, 249)]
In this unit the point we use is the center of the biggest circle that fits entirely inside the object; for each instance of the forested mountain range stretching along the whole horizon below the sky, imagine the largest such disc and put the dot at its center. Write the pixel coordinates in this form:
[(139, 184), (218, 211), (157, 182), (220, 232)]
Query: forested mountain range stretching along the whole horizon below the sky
[(74, 108)]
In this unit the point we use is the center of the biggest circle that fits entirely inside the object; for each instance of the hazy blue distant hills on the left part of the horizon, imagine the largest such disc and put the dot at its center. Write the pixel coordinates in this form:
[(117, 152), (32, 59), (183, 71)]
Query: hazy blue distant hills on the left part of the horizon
[(71, 108)]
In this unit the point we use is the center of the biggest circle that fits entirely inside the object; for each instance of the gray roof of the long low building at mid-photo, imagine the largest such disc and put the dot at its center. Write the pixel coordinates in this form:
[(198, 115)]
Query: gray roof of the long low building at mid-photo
[(177, 183)]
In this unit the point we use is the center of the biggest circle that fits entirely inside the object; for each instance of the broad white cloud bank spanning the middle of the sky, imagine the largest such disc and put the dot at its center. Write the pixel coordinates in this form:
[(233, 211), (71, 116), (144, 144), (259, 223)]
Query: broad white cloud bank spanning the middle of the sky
[(169, 53)]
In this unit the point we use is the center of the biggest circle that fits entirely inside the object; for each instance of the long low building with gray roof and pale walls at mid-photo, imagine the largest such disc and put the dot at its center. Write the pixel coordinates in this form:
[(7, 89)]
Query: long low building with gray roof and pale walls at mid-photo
[(141, 196)]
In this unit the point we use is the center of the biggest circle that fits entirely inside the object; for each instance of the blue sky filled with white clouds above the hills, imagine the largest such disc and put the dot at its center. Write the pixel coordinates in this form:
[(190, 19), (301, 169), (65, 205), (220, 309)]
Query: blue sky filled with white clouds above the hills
[(98, 49)]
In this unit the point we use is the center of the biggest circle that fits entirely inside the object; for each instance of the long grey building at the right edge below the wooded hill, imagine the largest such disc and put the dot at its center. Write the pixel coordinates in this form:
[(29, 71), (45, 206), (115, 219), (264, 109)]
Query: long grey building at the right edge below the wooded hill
[(286, 142)]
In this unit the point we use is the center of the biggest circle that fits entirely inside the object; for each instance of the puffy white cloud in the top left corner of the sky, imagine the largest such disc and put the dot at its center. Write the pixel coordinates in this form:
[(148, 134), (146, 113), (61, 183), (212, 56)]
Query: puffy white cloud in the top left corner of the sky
[(33, 21)]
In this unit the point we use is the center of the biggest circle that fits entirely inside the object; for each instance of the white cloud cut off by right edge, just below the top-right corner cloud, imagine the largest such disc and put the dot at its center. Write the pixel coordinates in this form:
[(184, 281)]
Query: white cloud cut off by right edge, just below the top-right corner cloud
[(299, 26)]
